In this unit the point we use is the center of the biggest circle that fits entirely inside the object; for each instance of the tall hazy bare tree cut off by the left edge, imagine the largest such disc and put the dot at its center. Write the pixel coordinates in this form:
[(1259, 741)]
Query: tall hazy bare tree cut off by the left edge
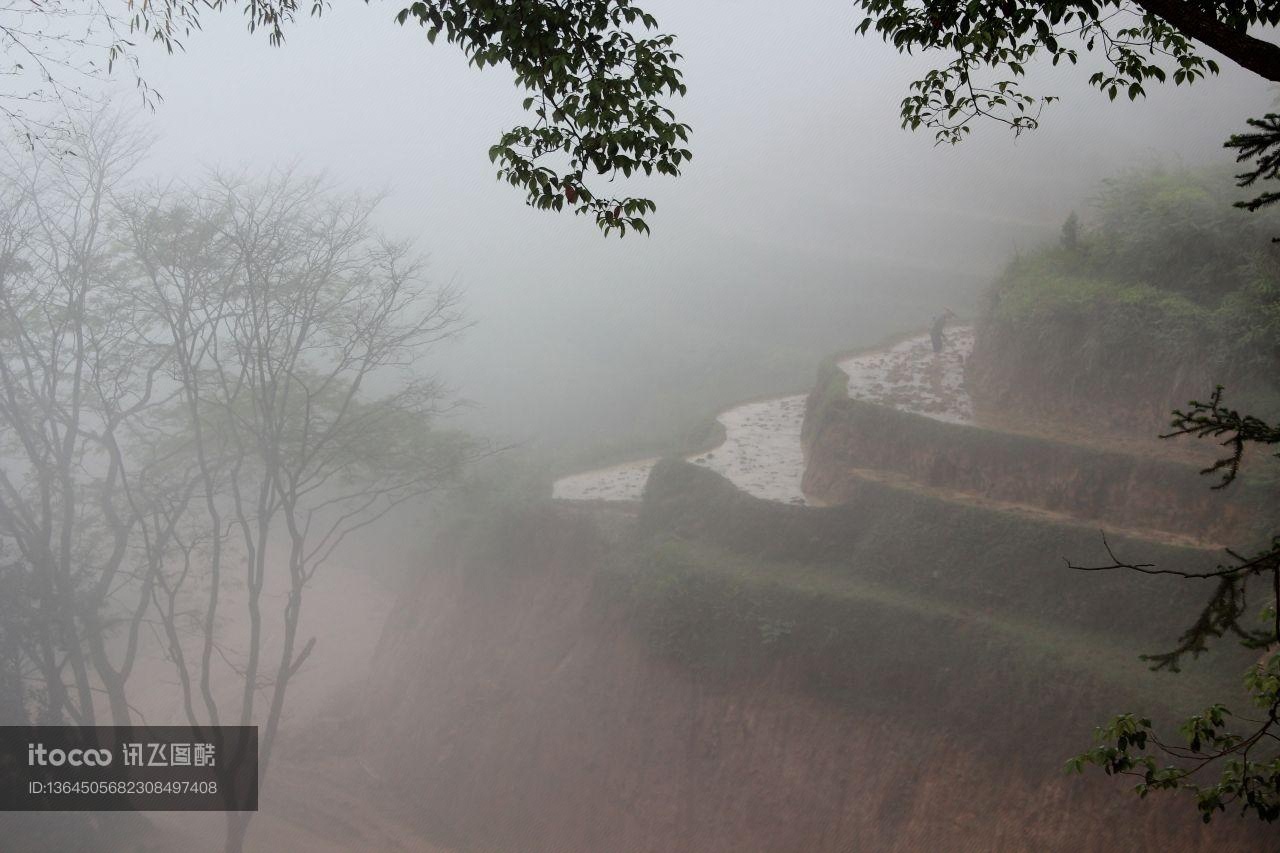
[(74, 378)]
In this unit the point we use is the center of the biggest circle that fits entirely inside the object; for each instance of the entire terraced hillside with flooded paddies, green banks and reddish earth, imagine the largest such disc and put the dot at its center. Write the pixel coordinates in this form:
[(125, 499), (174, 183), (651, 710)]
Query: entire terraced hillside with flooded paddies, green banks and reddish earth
[(847, 626)]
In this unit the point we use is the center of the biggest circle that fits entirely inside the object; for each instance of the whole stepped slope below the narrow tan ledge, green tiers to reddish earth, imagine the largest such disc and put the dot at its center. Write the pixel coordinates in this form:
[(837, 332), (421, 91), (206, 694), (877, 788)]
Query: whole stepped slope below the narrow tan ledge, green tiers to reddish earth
[(734, 674)]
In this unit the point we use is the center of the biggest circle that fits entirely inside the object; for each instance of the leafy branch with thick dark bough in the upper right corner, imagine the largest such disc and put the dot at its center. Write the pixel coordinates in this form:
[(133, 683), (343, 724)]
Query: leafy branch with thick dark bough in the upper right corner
[(988, 45)]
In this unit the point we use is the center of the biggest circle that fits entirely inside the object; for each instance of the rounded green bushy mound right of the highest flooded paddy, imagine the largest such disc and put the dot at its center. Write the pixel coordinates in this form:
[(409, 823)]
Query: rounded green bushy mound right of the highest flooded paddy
[(1167, 280)]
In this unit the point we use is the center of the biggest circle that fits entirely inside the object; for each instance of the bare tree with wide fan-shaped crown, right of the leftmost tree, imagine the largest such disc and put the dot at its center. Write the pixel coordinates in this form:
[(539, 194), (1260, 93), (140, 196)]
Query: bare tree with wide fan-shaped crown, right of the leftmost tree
[(296, 335)]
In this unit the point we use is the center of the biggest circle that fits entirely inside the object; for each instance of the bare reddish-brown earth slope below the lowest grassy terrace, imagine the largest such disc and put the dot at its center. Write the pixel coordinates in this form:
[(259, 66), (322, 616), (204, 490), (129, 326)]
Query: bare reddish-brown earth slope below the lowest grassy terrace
[(531, 701)]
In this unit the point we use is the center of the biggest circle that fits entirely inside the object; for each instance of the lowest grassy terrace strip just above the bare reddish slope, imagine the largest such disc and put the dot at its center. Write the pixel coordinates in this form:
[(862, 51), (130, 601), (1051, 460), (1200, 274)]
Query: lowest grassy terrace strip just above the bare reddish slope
[(1022, 688)]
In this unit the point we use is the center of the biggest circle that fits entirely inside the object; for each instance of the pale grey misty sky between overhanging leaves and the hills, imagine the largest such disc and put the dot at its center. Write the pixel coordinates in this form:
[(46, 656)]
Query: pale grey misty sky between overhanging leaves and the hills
[(806, 203)]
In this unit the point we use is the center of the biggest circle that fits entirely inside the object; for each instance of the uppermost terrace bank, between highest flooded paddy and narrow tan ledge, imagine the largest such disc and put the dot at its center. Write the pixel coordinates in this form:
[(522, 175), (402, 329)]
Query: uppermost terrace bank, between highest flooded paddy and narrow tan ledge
[(1096, 485)]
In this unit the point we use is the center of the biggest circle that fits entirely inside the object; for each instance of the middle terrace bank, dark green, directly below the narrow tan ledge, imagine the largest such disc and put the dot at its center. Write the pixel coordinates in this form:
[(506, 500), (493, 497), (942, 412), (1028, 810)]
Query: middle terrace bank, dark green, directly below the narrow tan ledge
[(895, 545)]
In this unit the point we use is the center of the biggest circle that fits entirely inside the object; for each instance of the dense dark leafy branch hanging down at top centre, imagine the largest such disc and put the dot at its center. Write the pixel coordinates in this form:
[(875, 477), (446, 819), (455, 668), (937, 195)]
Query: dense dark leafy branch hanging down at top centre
[(597, 76)]
